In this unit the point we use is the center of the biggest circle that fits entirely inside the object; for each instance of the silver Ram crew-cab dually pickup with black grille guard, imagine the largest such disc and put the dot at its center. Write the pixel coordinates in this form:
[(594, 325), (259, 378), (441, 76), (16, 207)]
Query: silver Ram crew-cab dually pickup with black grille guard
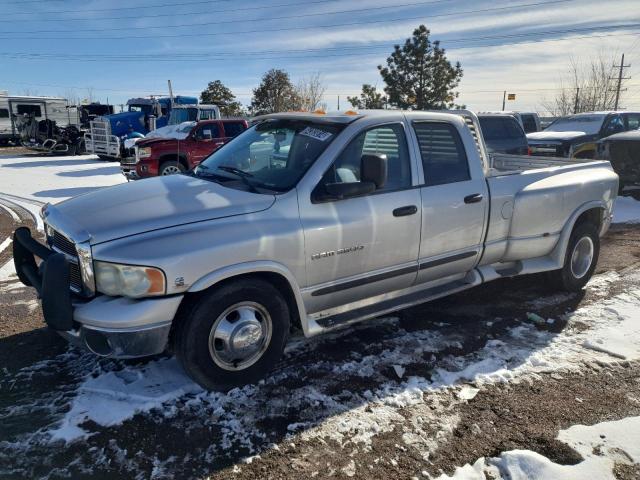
[(311, 221)]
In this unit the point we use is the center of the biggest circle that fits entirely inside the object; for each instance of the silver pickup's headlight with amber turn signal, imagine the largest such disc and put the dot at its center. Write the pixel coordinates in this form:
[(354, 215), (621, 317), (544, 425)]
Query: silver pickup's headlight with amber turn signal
[(129, 280)]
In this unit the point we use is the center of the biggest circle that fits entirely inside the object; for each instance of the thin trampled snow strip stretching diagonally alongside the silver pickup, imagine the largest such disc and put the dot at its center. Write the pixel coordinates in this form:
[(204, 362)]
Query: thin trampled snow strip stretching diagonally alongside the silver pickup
[(109, 397)]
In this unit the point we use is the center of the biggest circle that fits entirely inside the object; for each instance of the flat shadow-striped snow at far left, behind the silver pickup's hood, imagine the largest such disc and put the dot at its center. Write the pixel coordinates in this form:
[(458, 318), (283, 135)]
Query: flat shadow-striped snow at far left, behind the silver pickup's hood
[(52, 179)]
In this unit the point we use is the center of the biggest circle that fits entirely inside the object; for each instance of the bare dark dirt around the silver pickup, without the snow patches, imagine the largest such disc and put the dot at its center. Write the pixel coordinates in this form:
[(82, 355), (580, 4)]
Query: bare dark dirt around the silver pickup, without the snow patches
[(517, 415)]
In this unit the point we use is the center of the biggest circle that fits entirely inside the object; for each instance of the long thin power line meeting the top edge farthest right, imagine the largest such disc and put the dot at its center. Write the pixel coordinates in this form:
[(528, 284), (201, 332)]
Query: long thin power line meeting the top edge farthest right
[(306, 27)]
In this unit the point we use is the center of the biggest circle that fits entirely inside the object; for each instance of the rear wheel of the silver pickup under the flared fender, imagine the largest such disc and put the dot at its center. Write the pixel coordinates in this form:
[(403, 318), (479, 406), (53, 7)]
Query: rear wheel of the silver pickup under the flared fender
[(580, 259)]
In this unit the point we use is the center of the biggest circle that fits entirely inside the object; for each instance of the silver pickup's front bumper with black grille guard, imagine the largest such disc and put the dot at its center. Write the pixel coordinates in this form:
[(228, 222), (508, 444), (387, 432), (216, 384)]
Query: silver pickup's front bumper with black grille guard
[(108, 326)]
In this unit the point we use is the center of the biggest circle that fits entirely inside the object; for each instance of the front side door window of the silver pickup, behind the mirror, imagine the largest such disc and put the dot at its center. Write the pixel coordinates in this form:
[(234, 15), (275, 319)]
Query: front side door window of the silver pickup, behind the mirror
[(388, 140)]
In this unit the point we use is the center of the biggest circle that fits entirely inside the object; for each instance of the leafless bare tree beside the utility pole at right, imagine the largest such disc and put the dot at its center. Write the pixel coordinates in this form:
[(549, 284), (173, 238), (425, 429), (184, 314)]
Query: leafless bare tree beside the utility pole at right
[(589, 86)]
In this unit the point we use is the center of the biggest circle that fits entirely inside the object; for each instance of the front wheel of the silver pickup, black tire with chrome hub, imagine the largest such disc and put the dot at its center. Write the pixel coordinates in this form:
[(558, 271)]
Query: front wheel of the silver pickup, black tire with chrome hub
[(251, 307)]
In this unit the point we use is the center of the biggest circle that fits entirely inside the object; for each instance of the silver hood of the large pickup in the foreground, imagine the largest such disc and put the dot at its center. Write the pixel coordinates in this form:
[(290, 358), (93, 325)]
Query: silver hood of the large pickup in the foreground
[(152, 204)]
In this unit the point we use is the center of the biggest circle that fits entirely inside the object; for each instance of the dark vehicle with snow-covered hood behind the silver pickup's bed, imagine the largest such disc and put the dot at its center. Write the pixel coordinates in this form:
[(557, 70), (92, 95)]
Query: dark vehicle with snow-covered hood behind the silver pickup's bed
[(577, 135)]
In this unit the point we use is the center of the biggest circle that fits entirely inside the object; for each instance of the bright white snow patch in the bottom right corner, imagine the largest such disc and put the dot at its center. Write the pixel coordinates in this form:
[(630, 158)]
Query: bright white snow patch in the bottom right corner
[(601, 445)]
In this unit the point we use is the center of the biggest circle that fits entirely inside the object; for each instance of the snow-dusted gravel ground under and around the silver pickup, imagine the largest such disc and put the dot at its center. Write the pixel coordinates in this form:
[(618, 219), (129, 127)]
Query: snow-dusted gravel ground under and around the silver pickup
[(300, 423)]
